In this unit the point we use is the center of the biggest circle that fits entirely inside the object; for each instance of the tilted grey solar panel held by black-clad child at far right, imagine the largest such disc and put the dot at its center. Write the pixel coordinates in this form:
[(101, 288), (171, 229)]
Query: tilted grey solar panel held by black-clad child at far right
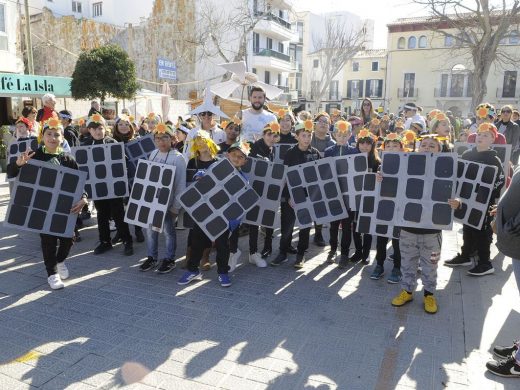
[(474, 188)]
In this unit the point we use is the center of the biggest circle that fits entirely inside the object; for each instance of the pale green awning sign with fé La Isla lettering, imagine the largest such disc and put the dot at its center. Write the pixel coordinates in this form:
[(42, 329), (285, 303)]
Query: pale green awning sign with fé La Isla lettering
[(12, 84)]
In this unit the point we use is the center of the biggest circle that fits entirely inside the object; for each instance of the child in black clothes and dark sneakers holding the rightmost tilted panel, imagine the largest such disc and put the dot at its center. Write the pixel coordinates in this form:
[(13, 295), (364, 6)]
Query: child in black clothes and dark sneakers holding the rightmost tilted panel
[(480, 239)]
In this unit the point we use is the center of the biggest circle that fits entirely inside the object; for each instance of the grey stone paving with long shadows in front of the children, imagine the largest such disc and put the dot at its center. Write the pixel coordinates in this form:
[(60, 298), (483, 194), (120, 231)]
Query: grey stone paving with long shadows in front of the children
[(274, 328)]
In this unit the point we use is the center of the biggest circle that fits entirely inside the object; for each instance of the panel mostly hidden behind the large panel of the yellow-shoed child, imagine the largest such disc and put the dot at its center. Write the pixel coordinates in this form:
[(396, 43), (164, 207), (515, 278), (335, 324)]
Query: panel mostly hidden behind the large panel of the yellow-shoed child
[(365, 222)]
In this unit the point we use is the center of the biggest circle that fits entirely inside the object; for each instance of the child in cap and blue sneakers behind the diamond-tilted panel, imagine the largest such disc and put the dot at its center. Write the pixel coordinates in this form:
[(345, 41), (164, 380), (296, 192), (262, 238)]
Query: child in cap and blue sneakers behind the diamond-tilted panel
[(237, 155)]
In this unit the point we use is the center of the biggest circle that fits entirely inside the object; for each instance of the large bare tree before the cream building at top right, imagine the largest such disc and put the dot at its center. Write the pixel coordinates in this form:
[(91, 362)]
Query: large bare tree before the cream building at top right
[(478, 30)]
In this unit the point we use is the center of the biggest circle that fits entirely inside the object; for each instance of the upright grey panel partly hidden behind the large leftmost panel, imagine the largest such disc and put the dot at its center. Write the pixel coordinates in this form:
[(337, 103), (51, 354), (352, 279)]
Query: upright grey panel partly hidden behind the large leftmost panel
[(106, 169)]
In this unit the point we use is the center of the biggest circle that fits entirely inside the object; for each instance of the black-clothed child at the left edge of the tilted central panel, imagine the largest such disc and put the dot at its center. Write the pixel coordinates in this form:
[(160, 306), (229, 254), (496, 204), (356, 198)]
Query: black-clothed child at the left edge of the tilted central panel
[(300, 153)]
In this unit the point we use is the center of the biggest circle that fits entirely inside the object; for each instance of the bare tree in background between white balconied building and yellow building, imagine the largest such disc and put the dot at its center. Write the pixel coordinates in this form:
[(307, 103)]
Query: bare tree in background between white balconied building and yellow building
[(338, 44)]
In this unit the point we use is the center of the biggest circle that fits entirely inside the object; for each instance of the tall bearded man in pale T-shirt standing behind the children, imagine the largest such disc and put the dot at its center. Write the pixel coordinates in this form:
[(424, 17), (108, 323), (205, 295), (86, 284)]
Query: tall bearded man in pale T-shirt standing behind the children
[(255, 118)]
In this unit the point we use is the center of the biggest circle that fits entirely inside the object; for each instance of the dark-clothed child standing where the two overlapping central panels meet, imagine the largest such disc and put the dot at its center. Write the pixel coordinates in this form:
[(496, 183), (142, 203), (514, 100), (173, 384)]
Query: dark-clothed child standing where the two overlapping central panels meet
[(341, 133)]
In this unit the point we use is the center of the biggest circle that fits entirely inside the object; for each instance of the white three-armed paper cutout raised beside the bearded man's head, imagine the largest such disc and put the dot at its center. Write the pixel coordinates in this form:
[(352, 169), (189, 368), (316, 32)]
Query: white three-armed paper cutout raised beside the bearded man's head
[(241, 78)]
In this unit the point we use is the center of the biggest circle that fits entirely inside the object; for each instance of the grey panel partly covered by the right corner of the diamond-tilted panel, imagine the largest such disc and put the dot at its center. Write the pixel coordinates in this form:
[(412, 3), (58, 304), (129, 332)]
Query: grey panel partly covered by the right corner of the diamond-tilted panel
[(267, 179)]
